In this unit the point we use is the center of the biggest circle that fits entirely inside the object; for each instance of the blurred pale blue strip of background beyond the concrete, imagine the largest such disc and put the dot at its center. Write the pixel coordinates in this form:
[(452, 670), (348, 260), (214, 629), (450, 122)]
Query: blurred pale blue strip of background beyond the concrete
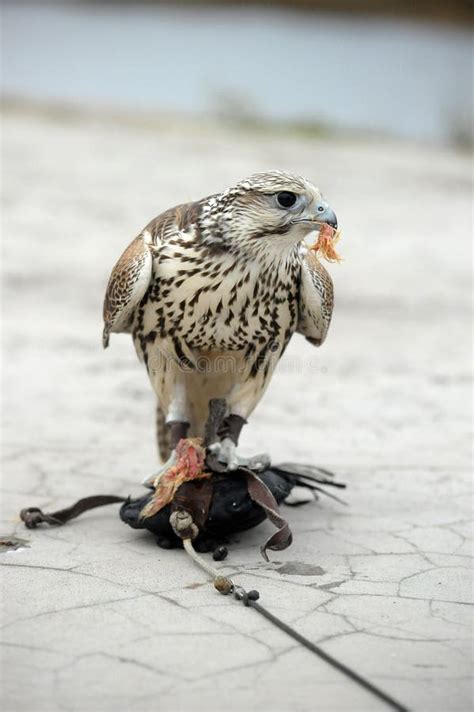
[(396, 68)]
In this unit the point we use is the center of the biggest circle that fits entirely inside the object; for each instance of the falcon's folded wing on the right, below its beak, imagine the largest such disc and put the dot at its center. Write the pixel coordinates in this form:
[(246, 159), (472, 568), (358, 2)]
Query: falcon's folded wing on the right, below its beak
[(316, 300)]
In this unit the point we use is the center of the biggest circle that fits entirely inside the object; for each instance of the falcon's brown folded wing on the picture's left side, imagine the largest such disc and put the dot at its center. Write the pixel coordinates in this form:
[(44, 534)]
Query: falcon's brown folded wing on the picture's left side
[(127, 284)]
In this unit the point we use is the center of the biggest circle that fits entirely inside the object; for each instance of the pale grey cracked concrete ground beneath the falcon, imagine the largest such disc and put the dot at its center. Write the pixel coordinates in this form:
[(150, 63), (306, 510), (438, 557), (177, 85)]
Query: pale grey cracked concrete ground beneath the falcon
[(95, 616)]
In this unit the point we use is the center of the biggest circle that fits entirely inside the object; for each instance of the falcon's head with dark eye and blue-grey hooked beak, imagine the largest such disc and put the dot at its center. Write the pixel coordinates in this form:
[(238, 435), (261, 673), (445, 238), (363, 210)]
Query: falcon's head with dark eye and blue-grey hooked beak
[(267, 209)]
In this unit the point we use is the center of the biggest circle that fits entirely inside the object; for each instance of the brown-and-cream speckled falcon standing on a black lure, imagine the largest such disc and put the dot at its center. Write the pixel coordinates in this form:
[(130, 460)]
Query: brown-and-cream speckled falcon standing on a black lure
[(212, 292)]
